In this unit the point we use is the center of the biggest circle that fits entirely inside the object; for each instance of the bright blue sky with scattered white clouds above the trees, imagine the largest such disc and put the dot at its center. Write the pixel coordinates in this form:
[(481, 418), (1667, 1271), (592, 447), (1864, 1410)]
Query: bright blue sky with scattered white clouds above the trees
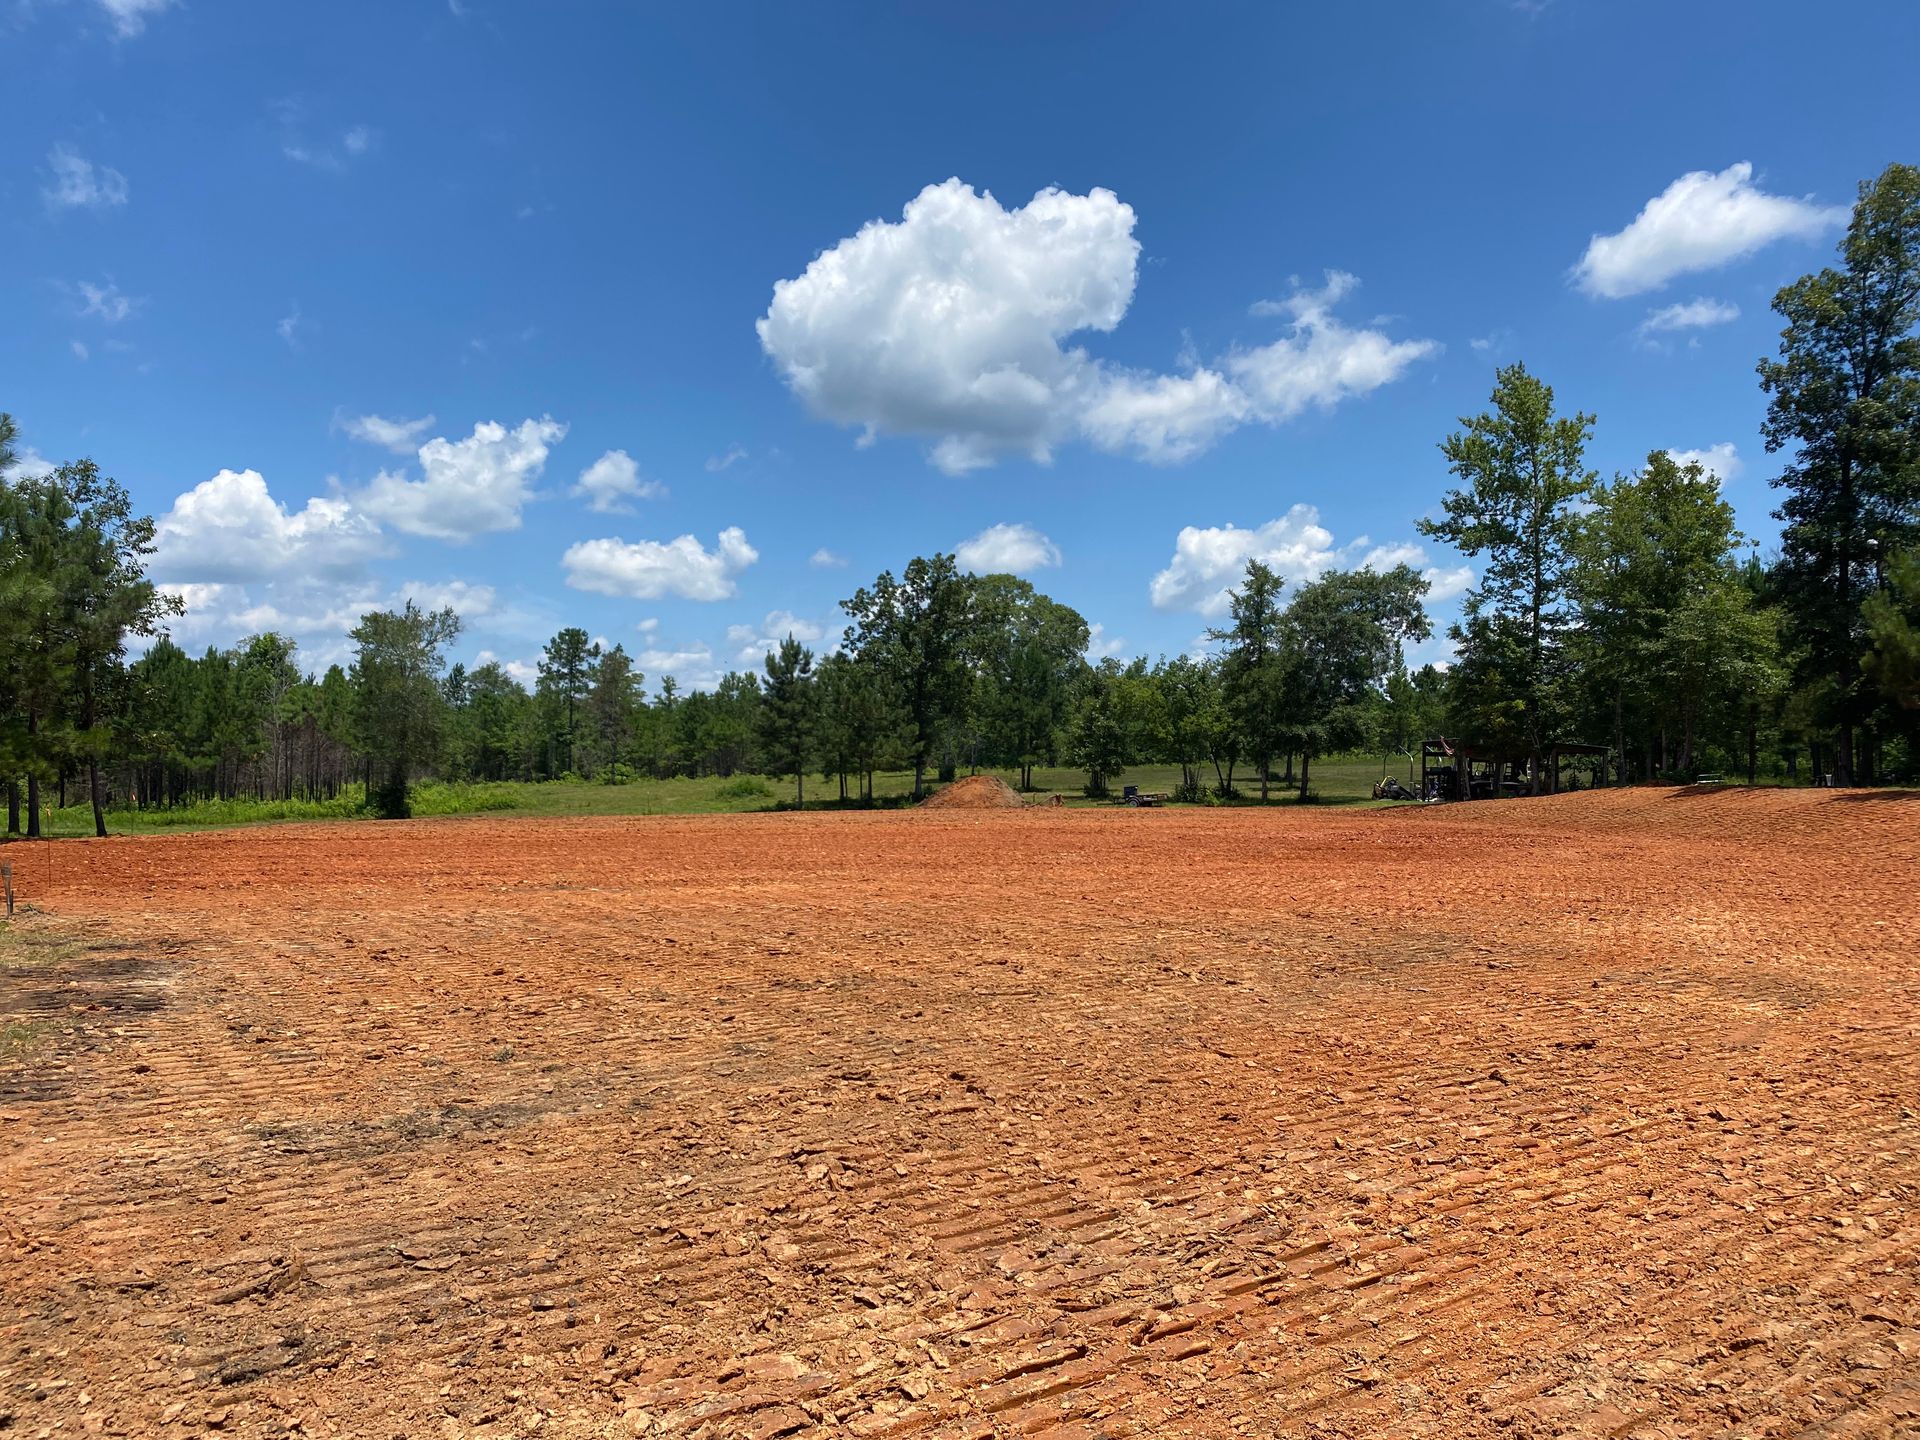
[(477, 302)]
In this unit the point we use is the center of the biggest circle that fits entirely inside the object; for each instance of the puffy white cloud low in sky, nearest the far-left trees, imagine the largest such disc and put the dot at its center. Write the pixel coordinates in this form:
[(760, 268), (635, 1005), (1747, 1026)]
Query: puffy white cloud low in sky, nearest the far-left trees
[(233, 531)]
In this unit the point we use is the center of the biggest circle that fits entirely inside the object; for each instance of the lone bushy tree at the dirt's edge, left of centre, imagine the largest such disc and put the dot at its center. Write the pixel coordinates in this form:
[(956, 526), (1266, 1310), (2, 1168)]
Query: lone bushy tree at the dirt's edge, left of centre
[(398, 706)]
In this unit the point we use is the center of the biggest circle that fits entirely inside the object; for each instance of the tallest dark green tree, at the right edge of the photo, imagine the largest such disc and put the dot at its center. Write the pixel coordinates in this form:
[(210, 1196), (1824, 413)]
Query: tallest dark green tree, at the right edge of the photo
[(1846, 406)]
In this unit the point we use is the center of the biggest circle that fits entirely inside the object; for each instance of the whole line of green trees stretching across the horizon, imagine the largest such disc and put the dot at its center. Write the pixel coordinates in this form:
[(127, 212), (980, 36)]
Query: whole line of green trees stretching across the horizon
[(1627, 612)]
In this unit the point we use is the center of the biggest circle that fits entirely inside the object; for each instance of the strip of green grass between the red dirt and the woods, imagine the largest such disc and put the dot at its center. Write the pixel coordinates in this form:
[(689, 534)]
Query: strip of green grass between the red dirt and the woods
[(1347, 780)]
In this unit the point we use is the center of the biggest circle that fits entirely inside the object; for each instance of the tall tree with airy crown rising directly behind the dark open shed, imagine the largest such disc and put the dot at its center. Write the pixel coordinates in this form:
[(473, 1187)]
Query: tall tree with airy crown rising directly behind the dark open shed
[(1524, 473)]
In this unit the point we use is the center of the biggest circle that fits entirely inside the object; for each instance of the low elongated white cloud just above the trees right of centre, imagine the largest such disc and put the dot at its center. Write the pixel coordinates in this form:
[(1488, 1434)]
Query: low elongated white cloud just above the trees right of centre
[(1211, 562)]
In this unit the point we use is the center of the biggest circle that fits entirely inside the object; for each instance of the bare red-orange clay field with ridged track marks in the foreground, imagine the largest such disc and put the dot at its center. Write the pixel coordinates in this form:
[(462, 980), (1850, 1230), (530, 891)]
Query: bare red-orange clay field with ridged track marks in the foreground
[(1589, 1116)]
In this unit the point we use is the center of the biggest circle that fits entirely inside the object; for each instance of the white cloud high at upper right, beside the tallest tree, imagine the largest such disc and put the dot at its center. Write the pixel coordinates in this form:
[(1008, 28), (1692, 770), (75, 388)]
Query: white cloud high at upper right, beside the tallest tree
[(1698, 224)]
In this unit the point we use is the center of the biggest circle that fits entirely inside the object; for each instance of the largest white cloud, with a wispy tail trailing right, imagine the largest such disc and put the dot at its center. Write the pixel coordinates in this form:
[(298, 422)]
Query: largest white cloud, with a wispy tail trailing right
[(955, 324)]
